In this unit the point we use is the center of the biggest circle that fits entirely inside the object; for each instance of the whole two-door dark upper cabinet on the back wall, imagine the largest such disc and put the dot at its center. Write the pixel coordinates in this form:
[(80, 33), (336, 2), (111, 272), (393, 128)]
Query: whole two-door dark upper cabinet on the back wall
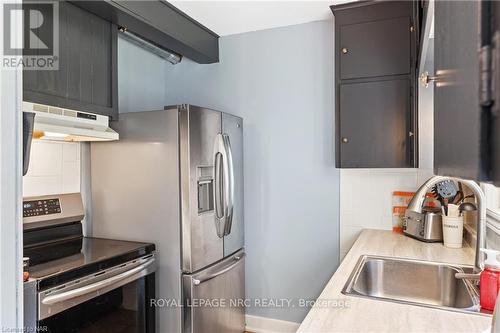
[(375, 84)]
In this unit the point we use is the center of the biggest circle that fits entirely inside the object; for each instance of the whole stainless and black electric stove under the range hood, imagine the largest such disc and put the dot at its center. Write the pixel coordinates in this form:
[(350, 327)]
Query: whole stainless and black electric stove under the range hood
[(81, 284)]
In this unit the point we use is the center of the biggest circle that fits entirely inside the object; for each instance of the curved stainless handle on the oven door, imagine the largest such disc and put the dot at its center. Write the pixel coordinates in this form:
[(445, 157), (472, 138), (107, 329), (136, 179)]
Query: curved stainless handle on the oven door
[(64, 296)]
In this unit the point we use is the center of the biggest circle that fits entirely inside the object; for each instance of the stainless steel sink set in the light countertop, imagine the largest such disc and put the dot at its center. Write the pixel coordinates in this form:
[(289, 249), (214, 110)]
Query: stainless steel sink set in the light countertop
[(414, 282)]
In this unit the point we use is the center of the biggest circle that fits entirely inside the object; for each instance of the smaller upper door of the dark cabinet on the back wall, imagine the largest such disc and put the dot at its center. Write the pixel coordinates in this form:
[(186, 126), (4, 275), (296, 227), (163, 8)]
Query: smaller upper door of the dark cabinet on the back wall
[(375, 48)]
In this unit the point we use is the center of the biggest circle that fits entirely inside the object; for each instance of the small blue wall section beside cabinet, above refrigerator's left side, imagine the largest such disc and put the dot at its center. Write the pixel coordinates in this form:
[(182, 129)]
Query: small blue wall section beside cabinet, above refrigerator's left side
[(141, 78)]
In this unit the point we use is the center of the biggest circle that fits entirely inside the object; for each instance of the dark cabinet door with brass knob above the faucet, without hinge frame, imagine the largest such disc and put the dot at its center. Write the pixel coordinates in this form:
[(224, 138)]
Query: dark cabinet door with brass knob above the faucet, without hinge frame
[(459, 122)]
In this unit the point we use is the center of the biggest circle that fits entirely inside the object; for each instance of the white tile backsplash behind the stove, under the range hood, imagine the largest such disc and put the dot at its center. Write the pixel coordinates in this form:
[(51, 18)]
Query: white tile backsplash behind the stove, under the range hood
[(54, 168)]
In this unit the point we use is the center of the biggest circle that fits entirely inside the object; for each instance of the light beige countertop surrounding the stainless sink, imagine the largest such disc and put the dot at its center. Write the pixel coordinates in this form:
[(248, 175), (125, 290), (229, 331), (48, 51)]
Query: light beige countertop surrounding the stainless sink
[(367, 315)]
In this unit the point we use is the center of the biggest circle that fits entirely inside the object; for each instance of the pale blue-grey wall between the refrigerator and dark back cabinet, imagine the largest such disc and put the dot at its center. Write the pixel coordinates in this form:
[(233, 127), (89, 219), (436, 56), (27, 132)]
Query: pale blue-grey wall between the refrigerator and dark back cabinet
[(281, 82)]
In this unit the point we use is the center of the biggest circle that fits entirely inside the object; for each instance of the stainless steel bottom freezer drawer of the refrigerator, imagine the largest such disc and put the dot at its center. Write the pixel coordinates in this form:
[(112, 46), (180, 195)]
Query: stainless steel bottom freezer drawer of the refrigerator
[(213, 297)]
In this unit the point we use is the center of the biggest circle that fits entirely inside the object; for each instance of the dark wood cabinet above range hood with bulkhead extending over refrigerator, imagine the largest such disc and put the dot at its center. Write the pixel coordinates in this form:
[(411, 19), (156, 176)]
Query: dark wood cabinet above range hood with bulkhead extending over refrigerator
[(87, 76)]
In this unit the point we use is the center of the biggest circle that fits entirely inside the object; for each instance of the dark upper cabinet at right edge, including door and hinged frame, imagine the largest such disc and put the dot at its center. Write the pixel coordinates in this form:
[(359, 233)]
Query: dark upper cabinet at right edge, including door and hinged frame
[(467, 89)]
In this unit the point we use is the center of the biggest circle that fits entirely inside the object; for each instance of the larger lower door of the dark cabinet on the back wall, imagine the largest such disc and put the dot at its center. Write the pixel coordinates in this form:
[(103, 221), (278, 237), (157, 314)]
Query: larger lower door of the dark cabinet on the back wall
[(374, 119)]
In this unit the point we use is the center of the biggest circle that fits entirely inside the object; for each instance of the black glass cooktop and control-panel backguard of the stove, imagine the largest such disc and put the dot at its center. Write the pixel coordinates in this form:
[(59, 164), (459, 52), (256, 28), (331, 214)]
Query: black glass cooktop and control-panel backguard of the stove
[(57, 250)]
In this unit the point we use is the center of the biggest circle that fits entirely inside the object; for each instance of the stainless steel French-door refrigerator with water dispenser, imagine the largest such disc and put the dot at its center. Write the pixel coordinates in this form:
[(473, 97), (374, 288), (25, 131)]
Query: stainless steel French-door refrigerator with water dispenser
[(175, 178)]
